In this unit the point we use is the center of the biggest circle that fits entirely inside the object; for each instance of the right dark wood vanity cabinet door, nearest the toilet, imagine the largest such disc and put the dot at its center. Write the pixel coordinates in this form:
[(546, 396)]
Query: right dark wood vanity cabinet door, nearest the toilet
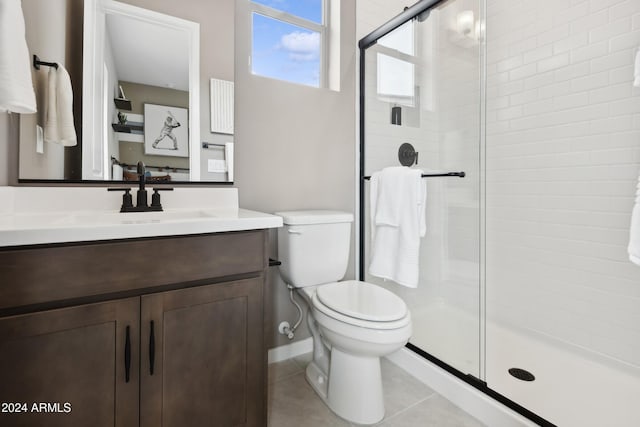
[(209, 363)]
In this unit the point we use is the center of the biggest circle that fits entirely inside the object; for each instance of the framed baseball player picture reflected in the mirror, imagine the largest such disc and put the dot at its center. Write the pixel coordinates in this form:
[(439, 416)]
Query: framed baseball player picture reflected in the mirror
[(166, 130)]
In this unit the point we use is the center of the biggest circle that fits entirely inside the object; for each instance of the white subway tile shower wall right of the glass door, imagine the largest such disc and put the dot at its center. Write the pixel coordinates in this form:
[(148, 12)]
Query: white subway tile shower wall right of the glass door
[(563, 157)]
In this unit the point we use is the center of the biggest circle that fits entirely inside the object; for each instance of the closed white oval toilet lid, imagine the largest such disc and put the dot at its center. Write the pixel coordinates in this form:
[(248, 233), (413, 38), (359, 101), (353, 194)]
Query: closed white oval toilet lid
[(362, 300)]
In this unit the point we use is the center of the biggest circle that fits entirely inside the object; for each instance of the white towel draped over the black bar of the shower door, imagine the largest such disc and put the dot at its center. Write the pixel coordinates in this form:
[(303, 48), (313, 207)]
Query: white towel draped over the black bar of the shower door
[(398, 199)]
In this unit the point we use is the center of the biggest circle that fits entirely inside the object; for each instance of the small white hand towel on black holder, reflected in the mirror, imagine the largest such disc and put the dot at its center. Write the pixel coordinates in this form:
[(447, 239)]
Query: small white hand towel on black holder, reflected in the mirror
[(58, 124)]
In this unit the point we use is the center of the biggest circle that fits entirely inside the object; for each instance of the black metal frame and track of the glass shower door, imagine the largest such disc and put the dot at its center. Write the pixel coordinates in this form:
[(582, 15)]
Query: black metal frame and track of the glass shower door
[(369, 40)]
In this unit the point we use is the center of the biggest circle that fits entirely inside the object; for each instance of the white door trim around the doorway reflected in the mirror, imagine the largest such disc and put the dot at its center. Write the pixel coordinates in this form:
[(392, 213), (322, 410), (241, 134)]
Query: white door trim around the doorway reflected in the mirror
[(93, 153)]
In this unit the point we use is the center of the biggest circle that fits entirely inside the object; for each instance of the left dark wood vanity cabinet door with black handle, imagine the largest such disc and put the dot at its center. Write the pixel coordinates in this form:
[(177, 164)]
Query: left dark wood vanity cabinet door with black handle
[(67, 367)]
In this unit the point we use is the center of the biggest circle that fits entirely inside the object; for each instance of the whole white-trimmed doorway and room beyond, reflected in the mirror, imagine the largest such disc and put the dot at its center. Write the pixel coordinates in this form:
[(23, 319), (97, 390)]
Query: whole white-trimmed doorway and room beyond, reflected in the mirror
[(139, 58)]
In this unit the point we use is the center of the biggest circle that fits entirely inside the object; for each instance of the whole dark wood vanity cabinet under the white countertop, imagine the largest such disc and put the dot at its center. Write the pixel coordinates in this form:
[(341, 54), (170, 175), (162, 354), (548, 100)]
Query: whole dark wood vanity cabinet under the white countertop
[(172, 353)]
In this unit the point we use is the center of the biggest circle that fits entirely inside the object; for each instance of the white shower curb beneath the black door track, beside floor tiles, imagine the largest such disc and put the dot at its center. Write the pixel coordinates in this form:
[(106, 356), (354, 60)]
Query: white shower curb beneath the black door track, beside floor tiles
[(461, 394)]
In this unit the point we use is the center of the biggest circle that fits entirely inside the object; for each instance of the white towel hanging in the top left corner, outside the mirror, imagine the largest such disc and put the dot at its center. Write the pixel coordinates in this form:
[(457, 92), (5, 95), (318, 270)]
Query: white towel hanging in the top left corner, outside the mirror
[(16, 87)]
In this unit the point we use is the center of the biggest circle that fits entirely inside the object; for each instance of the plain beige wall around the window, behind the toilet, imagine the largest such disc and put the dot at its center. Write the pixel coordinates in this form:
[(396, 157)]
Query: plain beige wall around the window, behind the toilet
[(295, 145)]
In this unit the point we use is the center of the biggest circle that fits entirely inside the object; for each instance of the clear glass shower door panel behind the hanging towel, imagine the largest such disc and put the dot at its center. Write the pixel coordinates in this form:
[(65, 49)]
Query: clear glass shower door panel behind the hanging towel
[(422, 86)]
